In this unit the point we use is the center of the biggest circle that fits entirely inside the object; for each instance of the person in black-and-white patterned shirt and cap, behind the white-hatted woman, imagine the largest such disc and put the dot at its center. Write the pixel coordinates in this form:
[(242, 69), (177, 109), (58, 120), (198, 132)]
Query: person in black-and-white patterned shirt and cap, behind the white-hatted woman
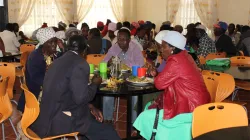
[(206, 44)]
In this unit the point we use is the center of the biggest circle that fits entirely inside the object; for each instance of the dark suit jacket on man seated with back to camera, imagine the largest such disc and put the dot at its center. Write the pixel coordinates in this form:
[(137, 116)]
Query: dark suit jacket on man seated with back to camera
[(65, 88)]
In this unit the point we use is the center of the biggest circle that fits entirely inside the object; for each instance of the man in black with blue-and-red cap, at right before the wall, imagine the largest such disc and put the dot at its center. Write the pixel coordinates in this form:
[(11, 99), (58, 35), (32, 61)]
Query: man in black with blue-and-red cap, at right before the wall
[(223, 42)]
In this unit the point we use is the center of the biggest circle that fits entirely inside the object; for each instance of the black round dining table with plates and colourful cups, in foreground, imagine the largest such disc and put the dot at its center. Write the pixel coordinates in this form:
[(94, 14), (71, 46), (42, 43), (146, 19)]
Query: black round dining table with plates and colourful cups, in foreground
[(128, 90)]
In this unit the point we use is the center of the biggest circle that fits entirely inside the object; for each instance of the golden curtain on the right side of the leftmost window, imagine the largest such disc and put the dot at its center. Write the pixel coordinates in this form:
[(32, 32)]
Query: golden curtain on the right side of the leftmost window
[(65, 9)]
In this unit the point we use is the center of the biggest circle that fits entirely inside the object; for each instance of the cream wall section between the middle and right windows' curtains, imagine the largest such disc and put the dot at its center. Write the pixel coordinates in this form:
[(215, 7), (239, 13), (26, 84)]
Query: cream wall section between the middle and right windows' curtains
[(152, 10)]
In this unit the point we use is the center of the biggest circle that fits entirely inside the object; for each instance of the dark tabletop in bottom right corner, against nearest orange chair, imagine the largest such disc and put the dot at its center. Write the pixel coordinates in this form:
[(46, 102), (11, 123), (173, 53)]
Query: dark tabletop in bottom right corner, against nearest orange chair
[(234, 133)]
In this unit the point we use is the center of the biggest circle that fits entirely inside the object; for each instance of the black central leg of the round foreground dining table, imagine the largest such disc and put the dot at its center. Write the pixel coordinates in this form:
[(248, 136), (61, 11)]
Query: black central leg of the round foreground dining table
[(129, 114)]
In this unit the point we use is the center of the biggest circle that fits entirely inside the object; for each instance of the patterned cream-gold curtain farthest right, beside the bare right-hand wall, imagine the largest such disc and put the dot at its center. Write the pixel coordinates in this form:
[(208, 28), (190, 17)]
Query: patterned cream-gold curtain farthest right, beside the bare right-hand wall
[(207, 11)]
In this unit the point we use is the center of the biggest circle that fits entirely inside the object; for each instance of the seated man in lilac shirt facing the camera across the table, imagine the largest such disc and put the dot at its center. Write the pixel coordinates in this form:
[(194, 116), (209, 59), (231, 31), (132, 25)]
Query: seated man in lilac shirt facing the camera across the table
[(129, 54)]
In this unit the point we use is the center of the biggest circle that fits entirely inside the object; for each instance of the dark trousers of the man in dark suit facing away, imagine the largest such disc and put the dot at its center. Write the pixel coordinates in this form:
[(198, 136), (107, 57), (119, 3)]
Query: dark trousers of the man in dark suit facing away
[(100, 131)]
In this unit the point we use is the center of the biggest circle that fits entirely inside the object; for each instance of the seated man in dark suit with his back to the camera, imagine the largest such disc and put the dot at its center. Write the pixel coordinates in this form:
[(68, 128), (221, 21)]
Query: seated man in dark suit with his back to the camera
[(64, 106)]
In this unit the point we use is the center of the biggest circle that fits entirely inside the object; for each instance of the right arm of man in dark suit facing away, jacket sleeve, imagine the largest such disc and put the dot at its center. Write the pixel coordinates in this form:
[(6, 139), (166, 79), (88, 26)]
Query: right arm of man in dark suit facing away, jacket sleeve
[(82, 92)]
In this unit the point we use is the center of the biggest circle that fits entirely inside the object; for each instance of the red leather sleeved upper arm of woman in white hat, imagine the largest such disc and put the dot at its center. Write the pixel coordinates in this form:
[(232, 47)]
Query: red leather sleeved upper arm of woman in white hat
[(169, 74)]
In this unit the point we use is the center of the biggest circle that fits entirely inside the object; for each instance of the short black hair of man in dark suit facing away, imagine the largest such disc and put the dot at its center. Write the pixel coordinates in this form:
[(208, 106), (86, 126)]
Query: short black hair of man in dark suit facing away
[(77, 43)]
